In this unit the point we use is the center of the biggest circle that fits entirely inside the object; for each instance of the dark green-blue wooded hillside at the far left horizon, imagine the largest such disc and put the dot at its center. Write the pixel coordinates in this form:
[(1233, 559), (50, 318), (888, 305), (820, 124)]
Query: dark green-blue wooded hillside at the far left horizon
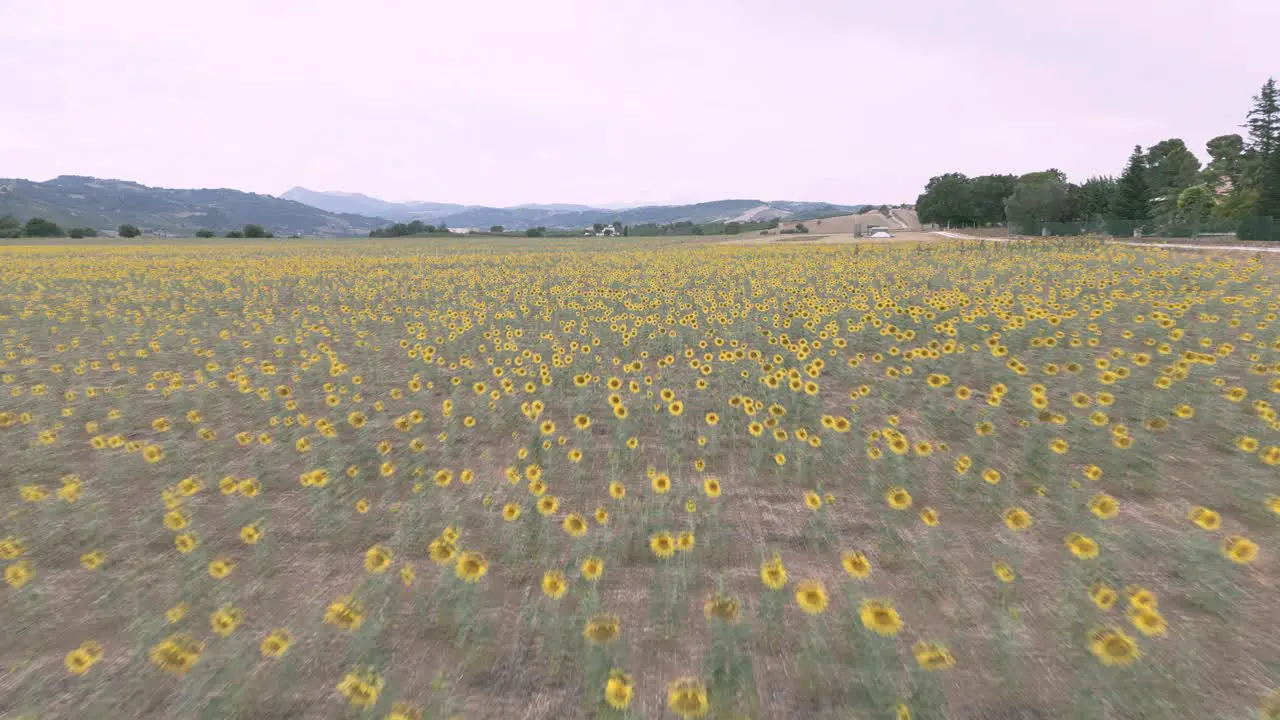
[(106, 204)]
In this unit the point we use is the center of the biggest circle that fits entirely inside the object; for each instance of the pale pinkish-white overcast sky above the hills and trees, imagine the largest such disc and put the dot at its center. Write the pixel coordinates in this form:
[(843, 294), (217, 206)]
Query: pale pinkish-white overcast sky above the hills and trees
[(601, 102)]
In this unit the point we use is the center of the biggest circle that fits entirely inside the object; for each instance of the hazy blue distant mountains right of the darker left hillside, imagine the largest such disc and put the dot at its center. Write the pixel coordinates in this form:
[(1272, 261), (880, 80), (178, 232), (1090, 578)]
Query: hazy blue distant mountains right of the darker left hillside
[(563, 216)]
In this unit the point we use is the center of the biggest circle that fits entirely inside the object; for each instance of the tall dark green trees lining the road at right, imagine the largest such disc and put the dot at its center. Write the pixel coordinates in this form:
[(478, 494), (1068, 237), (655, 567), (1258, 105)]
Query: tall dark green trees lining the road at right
[(1163, 189)]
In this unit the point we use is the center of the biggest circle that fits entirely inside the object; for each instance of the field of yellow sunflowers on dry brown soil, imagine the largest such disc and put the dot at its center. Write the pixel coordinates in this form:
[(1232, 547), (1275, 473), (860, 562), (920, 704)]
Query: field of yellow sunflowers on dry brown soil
[(619, 479)]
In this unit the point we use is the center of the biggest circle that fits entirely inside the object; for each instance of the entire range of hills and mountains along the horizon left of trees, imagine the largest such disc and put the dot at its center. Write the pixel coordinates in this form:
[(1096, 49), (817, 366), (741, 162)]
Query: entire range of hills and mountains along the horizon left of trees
[(107, 204)]
